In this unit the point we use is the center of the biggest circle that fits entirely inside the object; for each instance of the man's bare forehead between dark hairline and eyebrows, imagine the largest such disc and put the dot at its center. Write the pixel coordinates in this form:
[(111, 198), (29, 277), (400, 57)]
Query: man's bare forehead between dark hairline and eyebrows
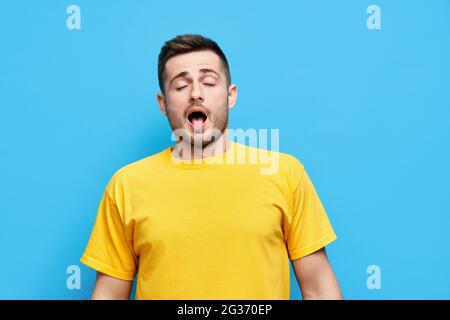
[(193, 61)]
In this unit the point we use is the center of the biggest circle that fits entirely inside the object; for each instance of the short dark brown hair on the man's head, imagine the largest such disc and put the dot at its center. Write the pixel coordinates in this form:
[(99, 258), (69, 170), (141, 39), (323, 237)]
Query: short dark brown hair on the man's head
[(188, 43)]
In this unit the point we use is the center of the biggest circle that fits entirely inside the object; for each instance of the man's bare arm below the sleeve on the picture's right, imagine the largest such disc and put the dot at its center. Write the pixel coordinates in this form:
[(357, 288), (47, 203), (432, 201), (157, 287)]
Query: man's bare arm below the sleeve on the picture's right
[(315, 277)]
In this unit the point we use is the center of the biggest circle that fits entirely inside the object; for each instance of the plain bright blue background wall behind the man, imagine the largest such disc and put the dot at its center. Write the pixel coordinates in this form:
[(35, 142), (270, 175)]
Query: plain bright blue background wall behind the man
[(366, 111)]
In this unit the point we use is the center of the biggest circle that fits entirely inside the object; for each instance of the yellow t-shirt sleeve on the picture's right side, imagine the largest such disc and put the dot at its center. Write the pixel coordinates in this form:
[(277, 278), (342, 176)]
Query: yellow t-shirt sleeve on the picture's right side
[(307, 228)]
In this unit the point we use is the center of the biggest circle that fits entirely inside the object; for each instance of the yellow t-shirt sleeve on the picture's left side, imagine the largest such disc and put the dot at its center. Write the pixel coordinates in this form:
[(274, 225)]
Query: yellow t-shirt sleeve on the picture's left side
[(108, 249)]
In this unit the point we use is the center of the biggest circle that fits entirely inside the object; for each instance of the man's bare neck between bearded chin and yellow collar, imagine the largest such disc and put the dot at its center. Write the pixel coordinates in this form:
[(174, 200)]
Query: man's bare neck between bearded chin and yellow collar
[(186, 151)]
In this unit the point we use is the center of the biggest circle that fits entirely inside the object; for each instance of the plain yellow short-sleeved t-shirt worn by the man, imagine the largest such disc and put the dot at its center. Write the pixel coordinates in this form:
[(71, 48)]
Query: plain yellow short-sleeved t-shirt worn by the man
[(219, 229)]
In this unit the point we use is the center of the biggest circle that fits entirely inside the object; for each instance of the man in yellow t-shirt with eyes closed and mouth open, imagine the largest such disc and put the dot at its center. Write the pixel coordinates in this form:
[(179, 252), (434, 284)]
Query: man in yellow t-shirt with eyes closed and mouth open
[(192, 228)]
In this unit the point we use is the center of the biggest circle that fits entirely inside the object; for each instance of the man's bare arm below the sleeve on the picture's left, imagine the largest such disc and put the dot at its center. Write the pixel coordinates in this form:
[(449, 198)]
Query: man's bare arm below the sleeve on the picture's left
[(109, 288)]
